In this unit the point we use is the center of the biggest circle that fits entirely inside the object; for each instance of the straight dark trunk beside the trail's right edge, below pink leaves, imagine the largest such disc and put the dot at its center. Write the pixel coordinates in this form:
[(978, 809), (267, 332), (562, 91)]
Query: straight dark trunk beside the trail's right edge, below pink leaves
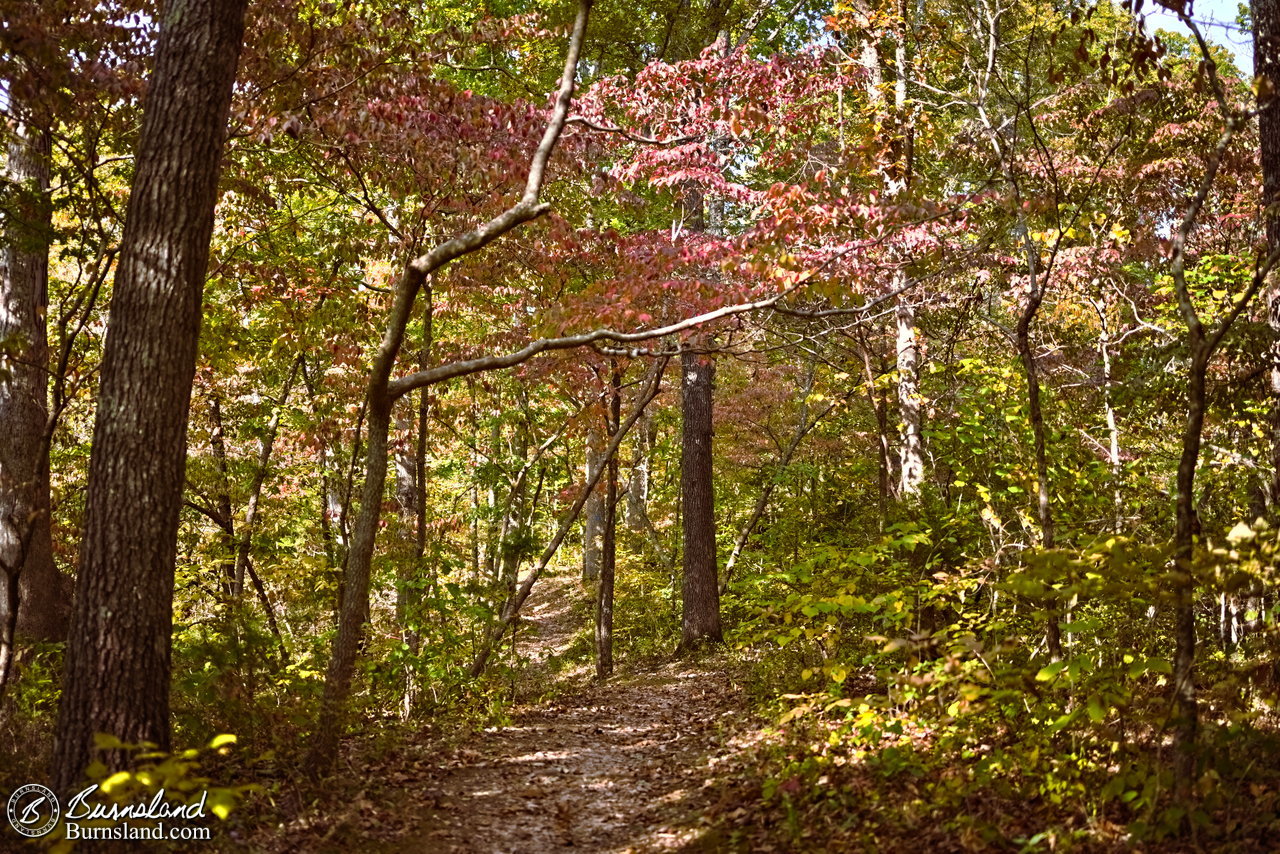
[(701, 619)]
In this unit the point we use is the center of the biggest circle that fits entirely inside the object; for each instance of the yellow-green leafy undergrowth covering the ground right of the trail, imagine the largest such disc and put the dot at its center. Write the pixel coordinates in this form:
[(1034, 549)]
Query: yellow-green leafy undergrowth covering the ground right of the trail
[(918, 710)]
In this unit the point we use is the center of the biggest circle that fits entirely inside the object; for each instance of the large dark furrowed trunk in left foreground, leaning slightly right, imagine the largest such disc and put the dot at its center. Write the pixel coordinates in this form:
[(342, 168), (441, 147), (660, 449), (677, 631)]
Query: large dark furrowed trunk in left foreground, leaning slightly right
[(117, 675)]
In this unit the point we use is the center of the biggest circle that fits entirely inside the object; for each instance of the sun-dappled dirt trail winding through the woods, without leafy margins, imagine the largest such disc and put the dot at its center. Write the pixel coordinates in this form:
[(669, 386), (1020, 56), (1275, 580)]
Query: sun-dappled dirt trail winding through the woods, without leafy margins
[(614, 768)]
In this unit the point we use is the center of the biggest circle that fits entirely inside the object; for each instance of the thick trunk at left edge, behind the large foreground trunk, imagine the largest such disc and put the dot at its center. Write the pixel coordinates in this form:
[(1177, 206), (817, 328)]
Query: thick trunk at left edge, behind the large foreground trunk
[(26, 540)]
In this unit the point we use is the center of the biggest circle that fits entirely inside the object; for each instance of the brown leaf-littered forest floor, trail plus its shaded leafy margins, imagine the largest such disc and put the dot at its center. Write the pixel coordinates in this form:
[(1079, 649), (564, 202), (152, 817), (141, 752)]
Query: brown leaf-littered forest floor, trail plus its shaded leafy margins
[(628, 765)]
